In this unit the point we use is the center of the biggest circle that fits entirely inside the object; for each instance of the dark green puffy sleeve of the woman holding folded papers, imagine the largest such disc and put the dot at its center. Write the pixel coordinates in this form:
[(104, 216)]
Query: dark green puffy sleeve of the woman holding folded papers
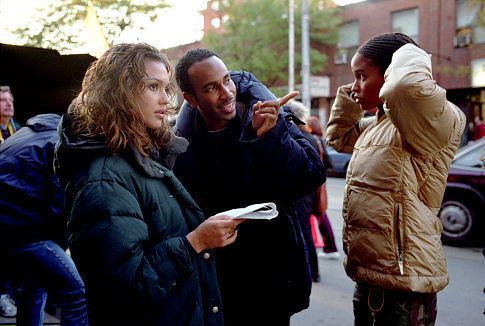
[(112, 244)]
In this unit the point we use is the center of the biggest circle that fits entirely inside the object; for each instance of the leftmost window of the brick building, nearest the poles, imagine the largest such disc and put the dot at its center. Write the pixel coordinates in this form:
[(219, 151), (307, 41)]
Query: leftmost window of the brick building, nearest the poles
[(348, 42)]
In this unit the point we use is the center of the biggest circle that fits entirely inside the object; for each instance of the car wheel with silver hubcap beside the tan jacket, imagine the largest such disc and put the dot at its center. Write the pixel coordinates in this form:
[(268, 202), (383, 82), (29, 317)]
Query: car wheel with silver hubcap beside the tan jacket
[(459, 221)]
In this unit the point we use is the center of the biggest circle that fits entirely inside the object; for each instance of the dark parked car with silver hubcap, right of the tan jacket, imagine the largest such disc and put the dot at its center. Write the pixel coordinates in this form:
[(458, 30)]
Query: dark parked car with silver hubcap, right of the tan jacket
[(463, 208)]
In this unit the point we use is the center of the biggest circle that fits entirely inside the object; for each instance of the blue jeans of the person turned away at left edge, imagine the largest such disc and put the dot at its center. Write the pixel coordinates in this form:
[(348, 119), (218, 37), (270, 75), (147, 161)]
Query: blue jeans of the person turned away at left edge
[(44, 266)]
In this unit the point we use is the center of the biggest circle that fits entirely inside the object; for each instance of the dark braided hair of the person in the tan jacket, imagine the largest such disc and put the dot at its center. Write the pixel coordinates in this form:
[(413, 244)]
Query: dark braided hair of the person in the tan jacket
[(381, 48)]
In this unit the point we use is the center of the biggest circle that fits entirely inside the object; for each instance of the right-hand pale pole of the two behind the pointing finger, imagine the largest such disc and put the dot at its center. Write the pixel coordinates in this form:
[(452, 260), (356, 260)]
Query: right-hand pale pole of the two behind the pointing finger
[(305, 55)]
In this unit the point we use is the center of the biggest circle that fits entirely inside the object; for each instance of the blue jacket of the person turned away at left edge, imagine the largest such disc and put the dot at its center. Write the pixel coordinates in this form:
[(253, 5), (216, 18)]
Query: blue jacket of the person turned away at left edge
[(31, 199)]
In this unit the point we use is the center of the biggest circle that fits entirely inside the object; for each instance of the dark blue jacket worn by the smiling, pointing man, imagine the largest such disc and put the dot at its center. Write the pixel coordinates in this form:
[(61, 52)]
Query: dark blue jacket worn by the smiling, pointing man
[(266, 268)]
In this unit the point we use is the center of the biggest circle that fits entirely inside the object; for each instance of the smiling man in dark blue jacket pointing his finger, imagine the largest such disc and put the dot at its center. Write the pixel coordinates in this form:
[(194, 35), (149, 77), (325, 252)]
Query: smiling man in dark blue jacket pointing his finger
[(240, 155)]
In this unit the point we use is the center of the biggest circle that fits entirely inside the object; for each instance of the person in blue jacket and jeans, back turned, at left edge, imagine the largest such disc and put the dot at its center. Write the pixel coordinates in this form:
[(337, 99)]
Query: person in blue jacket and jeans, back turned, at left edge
[(32, 225)]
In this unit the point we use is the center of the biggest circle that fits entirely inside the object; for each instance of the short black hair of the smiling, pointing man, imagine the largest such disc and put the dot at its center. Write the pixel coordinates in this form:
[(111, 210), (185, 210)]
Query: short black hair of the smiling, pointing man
[(183, 65)]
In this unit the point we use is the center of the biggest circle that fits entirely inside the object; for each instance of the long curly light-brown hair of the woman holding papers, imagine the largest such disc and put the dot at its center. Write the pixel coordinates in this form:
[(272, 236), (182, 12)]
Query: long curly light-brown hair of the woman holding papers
[(107, 106)]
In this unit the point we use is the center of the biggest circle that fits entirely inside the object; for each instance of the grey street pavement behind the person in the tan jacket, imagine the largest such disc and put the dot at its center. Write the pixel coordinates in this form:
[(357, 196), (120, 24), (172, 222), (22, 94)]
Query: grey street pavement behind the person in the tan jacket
[(461, 303)]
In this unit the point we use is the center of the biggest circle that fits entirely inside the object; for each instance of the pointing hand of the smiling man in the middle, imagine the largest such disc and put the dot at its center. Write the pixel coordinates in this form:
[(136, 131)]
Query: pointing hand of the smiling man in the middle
[(265, 115)]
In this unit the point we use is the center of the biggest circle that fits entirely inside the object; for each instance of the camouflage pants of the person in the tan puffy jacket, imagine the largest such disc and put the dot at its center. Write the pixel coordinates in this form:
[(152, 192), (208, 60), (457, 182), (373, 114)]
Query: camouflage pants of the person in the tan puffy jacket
[(375, 306)]
